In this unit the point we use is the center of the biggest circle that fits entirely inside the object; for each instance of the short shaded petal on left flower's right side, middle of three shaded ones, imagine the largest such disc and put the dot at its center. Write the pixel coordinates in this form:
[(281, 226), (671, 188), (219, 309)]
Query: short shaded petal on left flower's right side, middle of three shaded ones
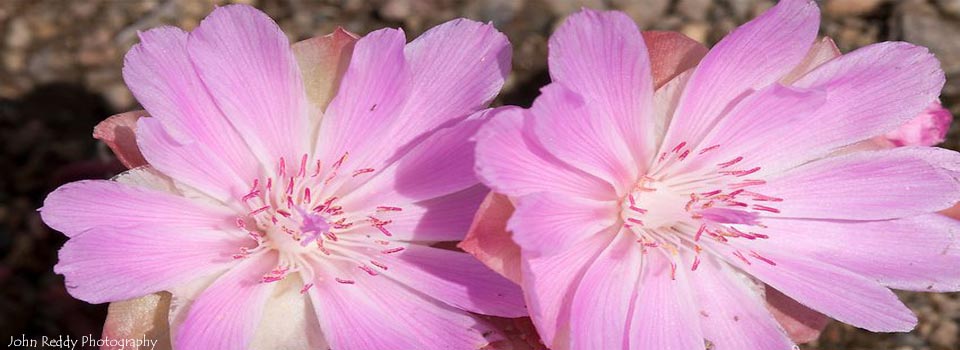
[(439, 219)]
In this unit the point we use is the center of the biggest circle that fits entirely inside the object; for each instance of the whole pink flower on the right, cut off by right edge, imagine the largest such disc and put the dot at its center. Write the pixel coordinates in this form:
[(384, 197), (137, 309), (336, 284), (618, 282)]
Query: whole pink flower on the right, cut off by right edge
[(653, 218)]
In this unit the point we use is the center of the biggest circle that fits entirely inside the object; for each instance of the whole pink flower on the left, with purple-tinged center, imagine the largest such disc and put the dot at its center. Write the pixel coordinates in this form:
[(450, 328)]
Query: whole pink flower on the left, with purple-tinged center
[(278, 221)]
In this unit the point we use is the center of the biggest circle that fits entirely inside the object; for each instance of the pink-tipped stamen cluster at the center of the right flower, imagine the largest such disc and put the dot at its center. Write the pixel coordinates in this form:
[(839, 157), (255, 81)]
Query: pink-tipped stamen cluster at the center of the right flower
[(717, 202)]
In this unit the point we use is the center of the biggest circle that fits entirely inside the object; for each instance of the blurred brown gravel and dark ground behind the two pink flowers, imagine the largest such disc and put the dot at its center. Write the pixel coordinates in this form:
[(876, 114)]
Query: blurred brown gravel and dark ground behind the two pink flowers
[(60, 66)]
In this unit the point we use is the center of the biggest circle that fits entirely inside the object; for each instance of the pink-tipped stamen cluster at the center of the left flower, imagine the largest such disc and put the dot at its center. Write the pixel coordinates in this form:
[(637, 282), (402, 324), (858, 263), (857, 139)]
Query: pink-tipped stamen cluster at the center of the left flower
[(287, 214)]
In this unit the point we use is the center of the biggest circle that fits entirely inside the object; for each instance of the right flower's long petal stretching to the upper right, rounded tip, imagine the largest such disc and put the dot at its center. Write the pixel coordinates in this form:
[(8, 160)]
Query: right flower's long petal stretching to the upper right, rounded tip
[(865, 98)]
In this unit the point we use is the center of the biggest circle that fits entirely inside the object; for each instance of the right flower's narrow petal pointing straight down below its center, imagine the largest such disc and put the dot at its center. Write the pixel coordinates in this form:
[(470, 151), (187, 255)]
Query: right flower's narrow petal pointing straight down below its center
[(664, 314)]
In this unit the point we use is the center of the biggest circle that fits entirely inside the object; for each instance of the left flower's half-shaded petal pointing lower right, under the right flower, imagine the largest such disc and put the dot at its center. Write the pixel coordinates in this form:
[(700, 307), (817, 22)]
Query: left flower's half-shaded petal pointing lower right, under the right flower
[(456, 279)]
